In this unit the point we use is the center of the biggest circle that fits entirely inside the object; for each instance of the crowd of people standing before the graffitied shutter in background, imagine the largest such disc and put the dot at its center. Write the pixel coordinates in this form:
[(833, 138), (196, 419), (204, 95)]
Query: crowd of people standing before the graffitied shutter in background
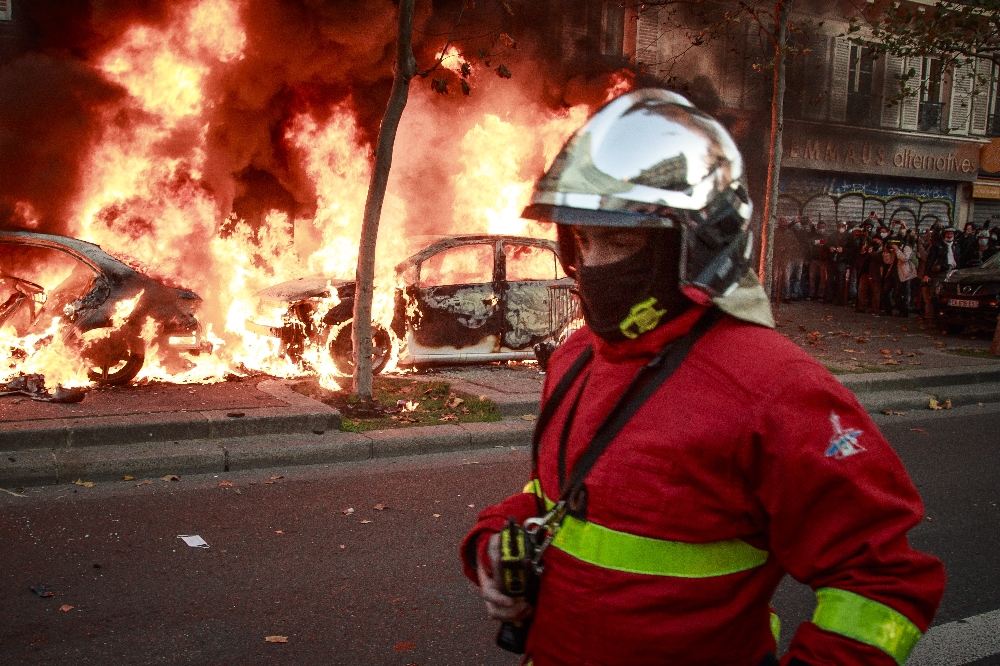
[(873, 266)]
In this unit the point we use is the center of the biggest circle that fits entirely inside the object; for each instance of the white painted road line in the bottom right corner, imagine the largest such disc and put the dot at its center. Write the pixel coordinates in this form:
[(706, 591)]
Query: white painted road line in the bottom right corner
[(960, 642)]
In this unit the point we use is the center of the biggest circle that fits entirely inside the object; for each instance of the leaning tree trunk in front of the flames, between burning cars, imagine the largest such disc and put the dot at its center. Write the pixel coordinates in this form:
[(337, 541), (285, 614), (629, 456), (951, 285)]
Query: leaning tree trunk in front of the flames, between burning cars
[(406, 68)]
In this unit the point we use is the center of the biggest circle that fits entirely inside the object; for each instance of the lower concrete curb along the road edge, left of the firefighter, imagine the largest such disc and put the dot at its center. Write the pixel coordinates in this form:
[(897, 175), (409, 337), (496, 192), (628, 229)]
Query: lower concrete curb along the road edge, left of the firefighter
[(154, 459)]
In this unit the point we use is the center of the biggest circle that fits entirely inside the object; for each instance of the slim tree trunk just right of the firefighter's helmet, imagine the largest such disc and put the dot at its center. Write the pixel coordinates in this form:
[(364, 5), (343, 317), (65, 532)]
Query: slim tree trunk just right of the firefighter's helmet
[(781, 11)]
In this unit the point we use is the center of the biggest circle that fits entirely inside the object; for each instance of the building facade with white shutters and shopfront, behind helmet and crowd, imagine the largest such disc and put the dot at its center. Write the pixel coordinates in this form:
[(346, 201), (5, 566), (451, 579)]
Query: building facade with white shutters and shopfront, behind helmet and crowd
[(851, 146)]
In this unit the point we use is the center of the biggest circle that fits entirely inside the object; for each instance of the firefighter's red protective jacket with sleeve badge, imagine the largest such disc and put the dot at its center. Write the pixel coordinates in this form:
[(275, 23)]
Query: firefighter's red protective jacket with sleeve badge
[(750, 439)]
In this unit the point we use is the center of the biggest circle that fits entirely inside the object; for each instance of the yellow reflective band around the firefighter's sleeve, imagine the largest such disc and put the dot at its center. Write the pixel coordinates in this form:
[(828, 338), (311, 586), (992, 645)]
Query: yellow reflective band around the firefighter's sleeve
[(866, 621)]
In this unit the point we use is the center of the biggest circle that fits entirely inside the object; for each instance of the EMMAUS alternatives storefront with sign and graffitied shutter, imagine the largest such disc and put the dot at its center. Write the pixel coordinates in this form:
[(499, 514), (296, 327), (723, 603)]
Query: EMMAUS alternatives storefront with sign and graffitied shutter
[(833, 173)]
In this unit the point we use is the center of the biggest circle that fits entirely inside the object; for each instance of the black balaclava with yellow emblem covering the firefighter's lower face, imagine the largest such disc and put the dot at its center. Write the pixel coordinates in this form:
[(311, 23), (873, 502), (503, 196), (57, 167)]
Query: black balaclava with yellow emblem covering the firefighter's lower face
[(627, 298)]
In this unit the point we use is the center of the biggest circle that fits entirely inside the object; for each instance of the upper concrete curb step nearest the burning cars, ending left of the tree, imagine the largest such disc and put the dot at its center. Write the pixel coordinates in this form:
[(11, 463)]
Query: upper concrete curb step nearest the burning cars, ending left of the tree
[(303, 415)]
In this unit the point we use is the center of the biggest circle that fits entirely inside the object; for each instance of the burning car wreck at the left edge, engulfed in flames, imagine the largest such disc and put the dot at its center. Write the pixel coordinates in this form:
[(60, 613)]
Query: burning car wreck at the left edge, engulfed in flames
[(102, 304)]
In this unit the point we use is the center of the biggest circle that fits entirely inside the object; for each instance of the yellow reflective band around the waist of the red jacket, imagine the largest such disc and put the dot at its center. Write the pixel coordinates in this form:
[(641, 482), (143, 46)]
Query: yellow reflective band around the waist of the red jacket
[(621, 551)]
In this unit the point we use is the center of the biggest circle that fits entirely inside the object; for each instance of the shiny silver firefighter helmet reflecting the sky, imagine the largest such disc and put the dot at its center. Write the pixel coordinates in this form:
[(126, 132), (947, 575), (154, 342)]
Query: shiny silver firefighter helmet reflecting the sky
[(650, 159)]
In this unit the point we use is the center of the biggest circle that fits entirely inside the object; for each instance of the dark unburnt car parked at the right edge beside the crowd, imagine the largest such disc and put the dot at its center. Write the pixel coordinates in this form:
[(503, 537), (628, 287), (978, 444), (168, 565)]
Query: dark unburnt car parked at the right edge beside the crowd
[(970, 297)]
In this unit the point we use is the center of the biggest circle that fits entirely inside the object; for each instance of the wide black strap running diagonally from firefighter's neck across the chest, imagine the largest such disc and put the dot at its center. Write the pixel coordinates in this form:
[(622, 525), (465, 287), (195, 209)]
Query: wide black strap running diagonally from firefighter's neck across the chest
[(650, 378)]
